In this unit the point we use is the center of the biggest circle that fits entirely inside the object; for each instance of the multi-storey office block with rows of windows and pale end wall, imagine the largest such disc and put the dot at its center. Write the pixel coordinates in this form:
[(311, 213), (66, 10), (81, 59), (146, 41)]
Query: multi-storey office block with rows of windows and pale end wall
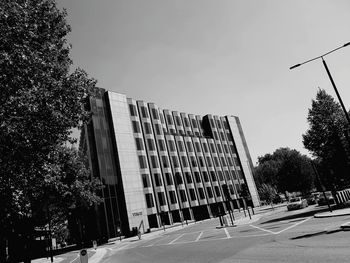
[(162, 167)]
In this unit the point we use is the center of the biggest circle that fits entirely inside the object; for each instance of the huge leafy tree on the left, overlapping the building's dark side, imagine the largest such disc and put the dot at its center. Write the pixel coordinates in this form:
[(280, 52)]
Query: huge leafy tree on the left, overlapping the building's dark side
[(42, 99)]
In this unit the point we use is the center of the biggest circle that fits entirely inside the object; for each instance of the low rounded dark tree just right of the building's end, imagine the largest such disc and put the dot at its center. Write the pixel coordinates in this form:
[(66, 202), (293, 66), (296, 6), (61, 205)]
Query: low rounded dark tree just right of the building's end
[(285, 170)]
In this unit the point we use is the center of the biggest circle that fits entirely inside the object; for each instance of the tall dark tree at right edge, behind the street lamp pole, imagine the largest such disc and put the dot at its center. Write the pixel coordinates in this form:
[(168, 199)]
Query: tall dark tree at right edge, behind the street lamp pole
[(326, 141)]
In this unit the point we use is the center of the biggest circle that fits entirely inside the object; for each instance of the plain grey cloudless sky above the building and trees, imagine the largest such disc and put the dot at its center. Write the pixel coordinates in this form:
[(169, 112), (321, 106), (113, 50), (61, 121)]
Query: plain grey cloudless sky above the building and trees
[(222, 57)]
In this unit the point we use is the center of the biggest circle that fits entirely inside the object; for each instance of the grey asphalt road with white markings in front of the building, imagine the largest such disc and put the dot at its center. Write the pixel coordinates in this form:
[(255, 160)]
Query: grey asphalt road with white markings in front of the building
[(285, 236)]
